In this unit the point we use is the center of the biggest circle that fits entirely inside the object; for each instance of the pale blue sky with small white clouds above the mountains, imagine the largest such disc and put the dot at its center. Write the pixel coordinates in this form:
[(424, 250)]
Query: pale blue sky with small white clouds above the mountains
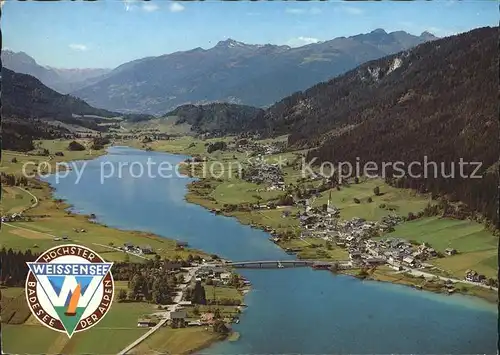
[(108, 33)]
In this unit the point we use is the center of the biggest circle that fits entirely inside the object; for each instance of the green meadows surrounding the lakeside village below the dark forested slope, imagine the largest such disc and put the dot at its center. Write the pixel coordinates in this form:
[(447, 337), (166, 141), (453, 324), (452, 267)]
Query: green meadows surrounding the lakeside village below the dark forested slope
[(255, 205)]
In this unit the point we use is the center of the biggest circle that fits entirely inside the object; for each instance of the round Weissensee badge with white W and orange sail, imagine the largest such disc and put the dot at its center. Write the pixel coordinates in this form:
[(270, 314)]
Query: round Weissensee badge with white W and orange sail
[(69, 288)]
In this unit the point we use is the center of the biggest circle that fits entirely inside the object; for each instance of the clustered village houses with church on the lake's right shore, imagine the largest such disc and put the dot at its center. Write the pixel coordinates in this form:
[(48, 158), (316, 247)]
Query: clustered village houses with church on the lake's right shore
[(360, 238)]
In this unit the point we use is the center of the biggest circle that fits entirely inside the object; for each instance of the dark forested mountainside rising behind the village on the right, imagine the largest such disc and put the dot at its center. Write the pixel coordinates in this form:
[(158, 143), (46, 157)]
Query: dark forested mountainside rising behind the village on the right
[(438, 100)]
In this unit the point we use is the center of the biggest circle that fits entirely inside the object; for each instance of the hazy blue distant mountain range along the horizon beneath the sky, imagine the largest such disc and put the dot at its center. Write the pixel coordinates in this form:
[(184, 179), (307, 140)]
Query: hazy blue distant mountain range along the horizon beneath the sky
[(231, 71)]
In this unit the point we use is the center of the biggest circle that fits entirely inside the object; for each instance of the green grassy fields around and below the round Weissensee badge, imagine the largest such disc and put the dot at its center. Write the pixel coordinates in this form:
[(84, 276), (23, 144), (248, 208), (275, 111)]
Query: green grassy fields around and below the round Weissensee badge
[(113, 333)]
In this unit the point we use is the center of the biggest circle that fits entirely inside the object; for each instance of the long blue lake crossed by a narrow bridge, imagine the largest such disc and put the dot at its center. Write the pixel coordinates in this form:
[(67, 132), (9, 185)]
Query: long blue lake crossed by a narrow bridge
[(290, 310)]
